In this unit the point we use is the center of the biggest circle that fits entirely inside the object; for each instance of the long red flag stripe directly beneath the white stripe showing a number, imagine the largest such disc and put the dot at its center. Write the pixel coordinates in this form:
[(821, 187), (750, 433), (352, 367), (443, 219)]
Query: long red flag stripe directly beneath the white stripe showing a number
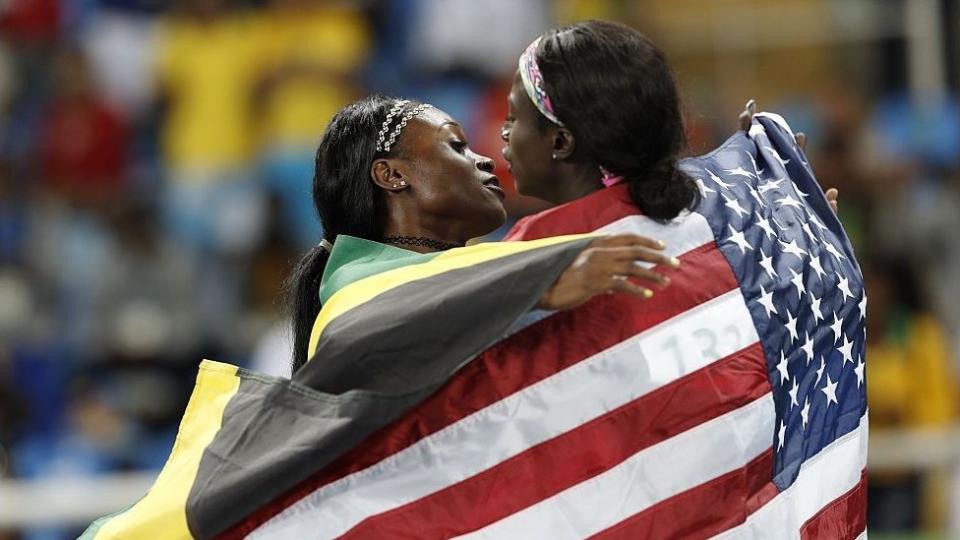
[(581, 453)]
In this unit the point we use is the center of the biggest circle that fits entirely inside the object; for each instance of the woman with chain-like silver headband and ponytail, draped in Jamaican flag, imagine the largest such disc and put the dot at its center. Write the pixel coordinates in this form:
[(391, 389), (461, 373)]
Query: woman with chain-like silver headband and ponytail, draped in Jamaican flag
[(401, 173)]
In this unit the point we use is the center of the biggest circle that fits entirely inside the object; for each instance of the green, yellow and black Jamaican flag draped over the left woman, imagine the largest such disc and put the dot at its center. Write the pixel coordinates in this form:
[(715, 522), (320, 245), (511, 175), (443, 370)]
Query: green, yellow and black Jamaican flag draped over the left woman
[(395, 326)]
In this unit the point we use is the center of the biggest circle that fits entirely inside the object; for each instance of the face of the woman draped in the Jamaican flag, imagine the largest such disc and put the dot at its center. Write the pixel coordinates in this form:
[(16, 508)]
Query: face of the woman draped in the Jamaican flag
[(453, 184)]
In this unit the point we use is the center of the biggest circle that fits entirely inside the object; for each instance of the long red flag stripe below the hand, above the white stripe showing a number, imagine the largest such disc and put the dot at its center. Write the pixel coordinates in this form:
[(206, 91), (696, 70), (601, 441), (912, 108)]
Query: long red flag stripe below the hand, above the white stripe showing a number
[(533, 354)]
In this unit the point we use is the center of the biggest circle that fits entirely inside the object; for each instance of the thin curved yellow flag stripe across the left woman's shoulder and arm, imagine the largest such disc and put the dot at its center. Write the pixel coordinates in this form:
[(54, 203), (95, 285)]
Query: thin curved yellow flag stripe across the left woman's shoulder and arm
[(366, 289)]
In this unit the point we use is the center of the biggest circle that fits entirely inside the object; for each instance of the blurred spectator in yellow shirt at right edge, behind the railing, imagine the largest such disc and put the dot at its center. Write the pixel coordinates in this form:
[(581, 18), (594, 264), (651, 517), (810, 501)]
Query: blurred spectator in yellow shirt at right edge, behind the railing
[(911, 383)]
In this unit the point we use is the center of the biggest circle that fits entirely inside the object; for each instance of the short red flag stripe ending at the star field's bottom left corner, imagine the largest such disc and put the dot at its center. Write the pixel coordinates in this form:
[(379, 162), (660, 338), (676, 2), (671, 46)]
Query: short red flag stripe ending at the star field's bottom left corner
[(706, 510)]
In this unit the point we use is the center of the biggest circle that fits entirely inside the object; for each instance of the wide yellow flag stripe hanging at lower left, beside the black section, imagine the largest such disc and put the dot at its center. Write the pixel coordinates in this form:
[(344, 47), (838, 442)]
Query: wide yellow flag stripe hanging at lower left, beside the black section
[(161, 513)]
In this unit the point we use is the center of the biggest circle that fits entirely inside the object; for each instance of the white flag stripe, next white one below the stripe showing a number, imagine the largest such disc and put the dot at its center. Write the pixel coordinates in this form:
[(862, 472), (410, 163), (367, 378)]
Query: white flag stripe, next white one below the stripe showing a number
[(652, 475)]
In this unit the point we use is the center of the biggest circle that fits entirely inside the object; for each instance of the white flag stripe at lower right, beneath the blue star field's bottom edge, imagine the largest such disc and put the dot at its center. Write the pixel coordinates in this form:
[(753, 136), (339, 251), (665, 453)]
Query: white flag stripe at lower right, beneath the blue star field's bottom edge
[(823, 478)]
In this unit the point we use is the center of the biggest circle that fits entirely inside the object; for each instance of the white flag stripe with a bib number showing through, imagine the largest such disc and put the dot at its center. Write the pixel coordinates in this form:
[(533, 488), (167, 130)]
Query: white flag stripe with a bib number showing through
[(535, 414)]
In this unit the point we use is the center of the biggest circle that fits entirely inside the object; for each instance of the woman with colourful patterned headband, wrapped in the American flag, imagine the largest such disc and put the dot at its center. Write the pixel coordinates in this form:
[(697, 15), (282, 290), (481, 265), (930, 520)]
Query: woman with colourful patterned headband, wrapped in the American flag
[(593, 105)]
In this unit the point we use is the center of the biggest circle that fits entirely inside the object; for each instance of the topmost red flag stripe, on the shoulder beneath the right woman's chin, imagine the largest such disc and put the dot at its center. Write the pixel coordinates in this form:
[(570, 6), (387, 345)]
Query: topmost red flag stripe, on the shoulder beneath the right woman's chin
[(599, 209)]
